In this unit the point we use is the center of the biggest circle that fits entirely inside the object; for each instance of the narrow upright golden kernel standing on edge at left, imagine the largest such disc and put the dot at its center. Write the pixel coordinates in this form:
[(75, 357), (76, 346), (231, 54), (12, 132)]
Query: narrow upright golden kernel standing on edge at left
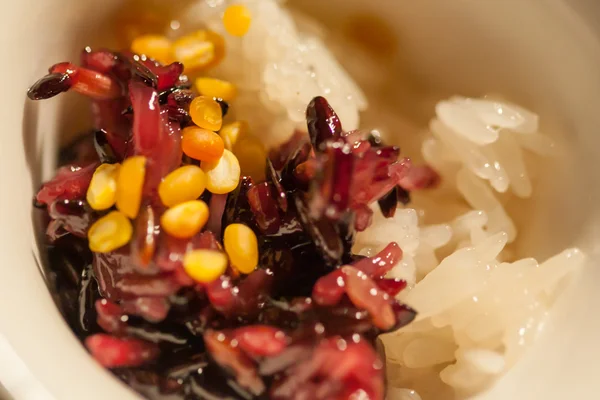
[(129, 185)]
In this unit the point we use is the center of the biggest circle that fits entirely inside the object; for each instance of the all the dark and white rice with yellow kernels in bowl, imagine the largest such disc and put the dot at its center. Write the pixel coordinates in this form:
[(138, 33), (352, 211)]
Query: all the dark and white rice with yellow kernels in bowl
[(219, 234)]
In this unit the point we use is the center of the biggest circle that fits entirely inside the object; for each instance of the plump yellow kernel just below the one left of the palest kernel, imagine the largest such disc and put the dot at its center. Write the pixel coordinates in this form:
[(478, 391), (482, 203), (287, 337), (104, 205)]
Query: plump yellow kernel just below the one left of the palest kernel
[(185, 219)]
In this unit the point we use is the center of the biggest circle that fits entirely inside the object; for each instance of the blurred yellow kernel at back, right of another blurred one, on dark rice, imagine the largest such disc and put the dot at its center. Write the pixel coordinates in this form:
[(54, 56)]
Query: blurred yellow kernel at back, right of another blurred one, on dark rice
[(199, 50)]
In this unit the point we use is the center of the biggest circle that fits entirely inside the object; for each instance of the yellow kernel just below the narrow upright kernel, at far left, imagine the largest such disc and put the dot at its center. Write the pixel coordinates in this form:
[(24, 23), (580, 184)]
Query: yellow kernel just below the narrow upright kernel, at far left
[(110, 232)]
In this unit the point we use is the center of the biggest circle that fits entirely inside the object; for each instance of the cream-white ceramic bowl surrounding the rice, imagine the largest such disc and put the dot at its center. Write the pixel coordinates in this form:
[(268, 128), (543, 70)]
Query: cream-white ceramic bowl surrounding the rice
[(544, 54)]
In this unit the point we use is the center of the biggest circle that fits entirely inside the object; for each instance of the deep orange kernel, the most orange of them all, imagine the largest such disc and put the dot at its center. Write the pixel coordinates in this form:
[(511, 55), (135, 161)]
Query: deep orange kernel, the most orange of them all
[(201, 144)]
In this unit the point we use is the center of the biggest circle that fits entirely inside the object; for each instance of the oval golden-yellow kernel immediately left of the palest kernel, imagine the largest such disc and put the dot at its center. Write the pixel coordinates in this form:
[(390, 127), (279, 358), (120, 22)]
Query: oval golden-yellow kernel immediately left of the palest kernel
[(184, 184)]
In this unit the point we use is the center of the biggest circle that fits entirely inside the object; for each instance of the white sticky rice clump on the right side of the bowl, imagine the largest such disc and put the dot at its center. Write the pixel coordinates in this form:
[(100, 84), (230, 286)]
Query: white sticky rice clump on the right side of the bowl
[(477, 313)]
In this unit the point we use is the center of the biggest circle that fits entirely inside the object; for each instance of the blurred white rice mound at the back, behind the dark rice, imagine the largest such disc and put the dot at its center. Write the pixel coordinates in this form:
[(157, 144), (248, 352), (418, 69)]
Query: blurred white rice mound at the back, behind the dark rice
[(278, 70)]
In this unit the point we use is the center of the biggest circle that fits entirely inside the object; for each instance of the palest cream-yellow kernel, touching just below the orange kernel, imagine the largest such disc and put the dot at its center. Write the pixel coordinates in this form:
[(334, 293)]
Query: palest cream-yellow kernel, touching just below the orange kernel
[(222, 176)]
